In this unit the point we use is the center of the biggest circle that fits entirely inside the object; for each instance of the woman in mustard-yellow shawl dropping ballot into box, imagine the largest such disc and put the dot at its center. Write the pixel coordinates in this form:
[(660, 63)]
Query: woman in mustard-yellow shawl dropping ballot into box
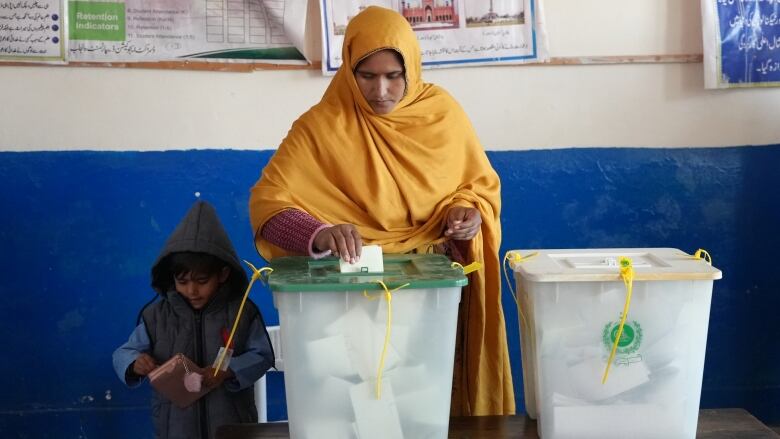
[(387, 159)]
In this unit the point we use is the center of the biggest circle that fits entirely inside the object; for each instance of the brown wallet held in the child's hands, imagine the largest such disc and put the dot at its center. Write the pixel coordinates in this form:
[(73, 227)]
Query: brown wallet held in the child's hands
[(180, 380)]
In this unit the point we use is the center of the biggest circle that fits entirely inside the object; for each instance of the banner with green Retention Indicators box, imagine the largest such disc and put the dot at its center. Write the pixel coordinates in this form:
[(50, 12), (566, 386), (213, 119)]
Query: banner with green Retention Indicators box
[(153, 30)]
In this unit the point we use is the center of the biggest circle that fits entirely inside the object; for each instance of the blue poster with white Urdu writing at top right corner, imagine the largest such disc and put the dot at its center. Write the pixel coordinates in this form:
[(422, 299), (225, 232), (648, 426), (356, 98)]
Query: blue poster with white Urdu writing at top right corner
[(741, 43)]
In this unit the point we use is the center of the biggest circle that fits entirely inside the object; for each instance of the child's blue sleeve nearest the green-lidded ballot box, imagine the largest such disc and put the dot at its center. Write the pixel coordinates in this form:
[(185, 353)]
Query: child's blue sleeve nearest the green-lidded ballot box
[(254, 362)]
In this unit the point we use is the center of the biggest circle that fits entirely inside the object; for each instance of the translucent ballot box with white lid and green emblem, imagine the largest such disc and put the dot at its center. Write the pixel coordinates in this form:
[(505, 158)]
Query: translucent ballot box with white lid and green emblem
[(571, 303)]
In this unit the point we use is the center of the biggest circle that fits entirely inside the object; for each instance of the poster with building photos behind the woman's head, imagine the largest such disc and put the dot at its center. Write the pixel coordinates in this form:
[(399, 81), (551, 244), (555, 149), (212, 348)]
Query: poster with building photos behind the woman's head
[(452, 33)]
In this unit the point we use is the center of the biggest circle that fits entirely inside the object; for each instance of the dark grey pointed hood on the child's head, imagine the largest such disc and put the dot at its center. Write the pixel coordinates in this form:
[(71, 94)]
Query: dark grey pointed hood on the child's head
[(199, 231)]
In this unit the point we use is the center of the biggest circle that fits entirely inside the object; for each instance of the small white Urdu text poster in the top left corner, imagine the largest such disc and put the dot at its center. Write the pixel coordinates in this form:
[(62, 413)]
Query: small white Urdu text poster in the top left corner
[(32, 30)]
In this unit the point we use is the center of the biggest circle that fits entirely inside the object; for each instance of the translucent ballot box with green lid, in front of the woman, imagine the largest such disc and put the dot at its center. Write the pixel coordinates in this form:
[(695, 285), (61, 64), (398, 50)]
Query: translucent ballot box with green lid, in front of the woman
[(340, 333)]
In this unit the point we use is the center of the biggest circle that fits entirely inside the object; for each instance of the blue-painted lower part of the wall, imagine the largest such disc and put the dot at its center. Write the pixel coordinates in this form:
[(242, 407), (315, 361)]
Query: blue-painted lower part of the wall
[(79, 231)]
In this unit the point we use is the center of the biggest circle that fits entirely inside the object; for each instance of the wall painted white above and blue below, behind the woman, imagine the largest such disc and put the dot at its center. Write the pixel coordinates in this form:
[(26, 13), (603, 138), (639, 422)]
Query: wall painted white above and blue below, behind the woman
[(98, 165)]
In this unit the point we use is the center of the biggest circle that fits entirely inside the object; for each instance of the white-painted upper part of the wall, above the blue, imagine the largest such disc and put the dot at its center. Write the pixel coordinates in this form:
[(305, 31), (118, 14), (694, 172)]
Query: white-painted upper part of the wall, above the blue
[(515, 107)]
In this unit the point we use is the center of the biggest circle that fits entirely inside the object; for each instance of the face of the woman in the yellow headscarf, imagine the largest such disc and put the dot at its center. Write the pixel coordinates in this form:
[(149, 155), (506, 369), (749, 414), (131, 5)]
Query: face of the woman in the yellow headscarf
[(381, 79)]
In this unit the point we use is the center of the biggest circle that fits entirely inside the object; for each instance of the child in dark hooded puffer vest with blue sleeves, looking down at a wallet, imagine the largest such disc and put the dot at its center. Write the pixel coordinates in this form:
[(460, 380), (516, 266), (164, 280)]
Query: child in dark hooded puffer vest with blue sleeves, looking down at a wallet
[(200, 283)]
